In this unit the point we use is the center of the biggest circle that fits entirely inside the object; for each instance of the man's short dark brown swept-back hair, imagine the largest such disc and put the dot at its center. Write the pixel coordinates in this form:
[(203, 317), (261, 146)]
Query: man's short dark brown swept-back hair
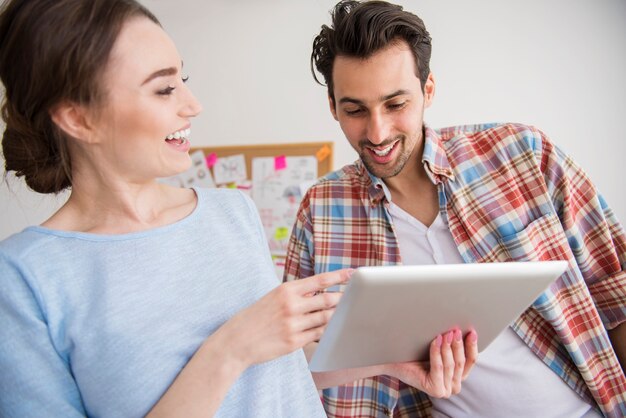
[(360, 29)]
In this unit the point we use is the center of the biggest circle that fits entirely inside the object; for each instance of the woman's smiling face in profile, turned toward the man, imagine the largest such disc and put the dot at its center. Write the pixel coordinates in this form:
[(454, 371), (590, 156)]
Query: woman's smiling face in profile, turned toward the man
[(141, 131)]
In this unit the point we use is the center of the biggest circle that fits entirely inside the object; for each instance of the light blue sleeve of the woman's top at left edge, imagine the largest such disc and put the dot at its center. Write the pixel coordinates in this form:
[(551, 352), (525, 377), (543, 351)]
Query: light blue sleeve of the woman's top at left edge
[(34, 380)]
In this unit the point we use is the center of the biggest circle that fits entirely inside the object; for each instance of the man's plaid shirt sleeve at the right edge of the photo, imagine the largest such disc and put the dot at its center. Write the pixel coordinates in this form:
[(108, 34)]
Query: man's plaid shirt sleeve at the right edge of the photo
[(595, 235)]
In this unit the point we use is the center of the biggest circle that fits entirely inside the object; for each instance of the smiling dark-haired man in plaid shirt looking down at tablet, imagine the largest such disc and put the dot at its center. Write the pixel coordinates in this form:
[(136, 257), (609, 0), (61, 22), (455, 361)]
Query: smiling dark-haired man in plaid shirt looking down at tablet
[(467, 194)]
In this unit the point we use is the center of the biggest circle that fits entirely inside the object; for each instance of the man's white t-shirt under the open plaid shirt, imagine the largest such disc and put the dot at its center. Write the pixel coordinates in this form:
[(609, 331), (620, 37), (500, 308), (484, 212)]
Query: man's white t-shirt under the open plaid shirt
[(508, 380)]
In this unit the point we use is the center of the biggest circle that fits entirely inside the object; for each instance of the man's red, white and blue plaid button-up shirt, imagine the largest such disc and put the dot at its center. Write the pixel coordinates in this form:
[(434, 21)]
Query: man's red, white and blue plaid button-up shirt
[(507, 194)]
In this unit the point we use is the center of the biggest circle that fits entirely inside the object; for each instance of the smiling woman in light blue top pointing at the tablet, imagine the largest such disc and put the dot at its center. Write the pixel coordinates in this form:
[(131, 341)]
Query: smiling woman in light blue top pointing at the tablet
[(137, 298)]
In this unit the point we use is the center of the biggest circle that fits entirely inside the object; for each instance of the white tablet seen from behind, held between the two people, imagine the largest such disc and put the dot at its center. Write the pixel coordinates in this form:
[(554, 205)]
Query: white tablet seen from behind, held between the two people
[(392, 313)]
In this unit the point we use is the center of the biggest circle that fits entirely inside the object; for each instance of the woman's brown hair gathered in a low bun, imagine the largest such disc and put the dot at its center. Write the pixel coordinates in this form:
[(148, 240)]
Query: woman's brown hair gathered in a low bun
[(52, 51)]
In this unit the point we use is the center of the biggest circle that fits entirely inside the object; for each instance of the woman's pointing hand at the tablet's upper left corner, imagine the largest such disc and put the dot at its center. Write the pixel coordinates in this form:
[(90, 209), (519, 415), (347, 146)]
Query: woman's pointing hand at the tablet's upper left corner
[(289, 317)]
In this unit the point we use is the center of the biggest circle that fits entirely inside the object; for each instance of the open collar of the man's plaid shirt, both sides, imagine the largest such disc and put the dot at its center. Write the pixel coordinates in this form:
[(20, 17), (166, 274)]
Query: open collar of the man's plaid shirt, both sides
[(434, 159)]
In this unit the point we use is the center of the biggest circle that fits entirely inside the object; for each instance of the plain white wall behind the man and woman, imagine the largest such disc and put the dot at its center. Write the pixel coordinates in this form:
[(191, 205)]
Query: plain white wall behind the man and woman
[(559, 64)]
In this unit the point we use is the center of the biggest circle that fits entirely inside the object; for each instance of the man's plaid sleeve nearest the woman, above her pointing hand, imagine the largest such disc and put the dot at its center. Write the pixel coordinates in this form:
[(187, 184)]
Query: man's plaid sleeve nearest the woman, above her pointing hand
[(300, 251)]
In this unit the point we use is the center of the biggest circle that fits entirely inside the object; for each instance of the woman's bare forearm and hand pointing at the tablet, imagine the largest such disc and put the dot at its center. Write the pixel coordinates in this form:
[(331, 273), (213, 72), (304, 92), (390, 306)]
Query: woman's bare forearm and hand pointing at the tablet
[(291, 316)]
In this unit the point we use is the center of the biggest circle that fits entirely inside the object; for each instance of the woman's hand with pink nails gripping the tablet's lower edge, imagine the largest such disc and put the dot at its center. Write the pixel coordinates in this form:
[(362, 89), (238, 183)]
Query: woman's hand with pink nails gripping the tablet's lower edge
[(450, 363)]
